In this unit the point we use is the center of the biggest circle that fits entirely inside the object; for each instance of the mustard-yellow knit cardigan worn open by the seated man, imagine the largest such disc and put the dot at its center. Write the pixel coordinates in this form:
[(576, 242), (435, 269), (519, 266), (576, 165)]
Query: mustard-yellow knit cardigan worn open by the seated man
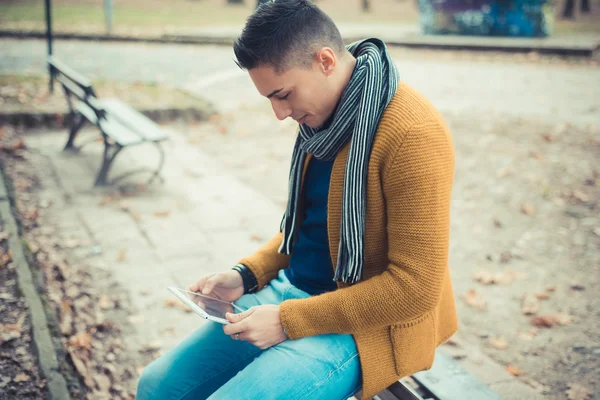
[(403, 307)]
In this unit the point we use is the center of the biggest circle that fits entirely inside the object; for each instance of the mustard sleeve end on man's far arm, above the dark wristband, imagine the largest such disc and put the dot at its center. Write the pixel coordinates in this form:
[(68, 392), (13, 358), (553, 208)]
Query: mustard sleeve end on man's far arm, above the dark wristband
[(267, 261)]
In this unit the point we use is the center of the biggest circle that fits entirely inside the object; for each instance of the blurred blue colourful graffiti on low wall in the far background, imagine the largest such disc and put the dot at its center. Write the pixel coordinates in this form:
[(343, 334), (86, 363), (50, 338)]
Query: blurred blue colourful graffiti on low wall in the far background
[(531, 18)]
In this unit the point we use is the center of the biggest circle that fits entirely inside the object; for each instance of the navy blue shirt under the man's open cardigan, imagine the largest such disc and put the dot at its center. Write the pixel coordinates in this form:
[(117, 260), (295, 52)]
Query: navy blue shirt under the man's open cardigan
[(311, 269)]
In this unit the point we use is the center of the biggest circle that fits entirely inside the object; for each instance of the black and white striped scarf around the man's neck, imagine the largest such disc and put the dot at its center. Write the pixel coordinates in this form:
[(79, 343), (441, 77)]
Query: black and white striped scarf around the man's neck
[(371, 87)]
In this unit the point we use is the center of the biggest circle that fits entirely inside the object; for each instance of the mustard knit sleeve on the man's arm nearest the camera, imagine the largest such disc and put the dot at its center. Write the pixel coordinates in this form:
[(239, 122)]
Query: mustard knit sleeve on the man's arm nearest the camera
[(417, 185)]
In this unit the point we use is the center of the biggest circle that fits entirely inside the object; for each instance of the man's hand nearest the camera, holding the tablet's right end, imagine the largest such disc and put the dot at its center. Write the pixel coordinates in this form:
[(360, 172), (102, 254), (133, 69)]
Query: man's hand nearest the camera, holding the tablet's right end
[(259, 325)]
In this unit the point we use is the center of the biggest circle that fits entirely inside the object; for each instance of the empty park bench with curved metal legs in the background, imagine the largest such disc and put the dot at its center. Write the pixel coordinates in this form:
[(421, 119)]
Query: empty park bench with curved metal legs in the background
[(120, 125)]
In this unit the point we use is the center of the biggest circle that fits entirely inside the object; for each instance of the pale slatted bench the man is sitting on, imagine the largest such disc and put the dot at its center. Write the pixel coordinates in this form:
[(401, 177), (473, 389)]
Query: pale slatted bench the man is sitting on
[(446, 380)]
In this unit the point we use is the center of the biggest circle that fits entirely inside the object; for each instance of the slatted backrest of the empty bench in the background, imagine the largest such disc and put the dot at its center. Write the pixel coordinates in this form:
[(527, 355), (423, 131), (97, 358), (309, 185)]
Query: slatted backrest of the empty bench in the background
[(75, 84)]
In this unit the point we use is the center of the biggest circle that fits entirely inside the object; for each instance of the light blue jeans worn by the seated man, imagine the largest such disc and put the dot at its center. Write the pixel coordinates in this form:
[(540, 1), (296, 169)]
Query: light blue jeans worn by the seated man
[(211, 365)]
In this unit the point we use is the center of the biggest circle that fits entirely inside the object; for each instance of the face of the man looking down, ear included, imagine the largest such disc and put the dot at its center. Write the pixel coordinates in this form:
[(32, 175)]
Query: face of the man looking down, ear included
[(306, 95)]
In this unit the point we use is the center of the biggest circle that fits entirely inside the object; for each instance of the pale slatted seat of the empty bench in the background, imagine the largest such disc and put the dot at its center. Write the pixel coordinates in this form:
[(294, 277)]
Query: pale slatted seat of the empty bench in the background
[(138, 122)]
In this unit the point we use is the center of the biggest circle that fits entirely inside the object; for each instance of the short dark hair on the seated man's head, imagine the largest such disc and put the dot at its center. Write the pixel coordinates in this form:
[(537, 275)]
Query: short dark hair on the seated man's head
[(284, 34)]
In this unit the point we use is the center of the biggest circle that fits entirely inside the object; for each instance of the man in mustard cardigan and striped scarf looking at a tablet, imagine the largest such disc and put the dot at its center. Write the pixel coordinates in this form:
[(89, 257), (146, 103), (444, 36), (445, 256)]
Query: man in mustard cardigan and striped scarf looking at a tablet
[(354, 291)]
